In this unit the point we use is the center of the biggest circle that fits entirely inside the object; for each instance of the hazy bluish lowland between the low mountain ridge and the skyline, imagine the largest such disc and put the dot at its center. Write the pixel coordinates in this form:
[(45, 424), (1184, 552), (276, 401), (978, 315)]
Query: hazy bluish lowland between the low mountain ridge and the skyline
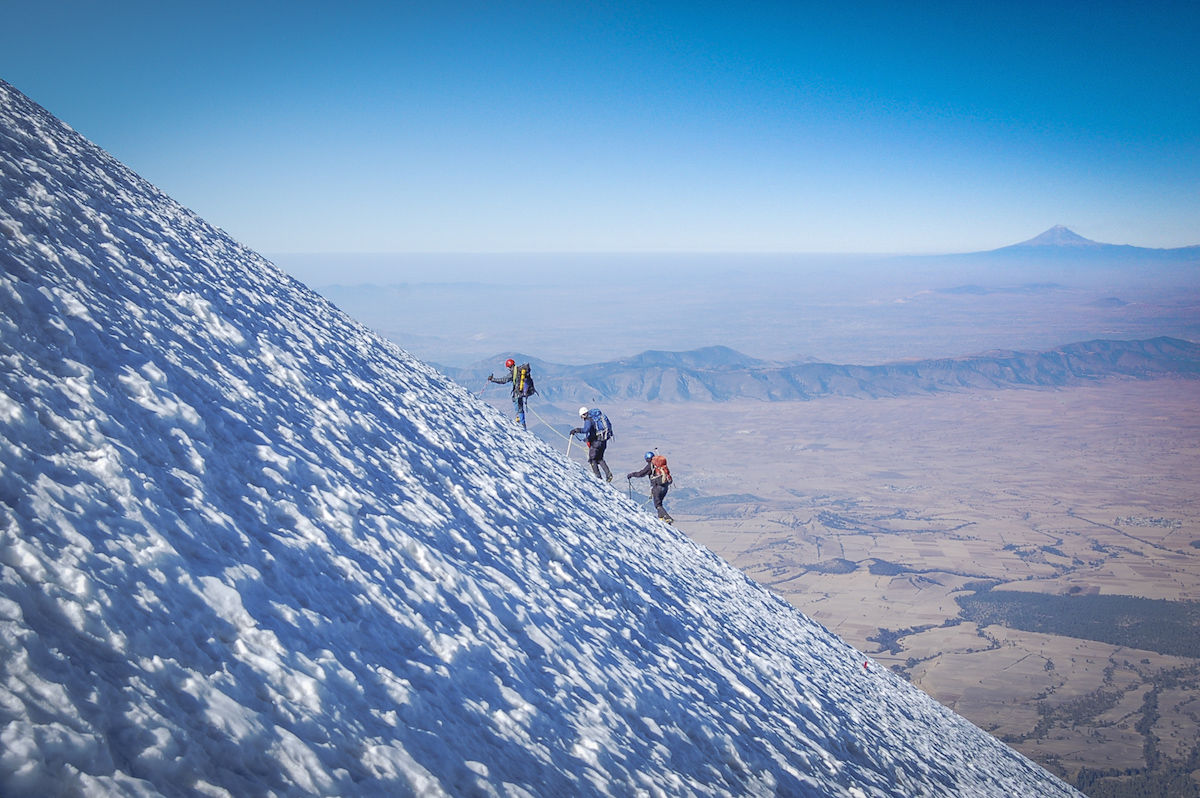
[(581, 309)]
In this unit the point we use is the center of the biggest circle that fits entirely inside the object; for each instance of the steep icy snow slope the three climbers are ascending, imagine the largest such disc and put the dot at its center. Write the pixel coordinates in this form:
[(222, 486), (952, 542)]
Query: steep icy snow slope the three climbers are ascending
[(248, 548)]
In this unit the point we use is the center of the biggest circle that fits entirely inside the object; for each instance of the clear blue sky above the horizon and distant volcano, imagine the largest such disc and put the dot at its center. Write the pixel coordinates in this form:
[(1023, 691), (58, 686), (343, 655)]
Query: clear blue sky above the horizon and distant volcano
[(638, 127)]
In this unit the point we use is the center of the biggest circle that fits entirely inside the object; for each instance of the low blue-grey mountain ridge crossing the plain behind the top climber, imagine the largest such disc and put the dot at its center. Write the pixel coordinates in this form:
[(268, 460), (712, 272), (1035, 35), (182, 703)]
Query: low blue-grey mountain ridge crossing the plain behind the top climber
[(719, 374)]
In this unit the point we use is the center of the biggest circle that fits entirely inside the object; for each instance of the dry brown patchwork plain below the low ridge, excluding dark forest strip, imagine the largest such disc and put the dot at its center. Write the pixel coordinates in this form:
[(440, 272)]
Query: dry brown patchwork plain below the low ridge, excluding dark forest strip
[(874, 517)]
